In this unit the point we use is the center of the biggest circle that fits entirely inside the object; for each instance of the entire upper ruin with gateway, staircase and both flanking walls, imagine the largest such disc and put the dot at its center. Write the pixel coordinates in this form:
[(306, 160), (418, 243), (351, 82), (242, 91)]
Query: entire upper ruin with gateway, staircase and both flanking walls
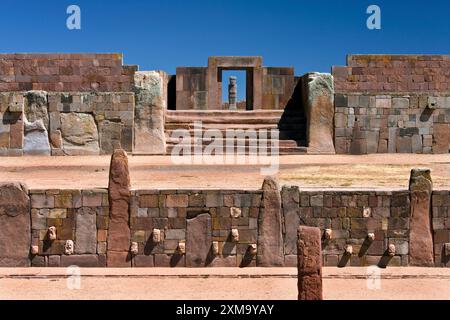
[(88, 104)]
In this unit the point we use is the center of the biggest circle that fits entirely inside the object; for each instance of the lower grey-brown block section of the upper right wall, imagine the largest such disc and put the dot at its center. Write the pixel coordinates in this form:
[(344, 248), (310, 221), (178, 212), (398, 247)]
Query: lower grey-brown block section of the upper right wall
[(395, 123)]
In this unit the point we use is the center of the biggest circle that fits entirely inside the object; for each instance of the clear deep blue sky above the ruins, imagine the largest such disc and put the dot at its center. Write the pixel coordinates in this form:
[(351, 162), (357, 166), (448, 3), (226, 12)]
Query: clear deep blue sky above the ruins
[(308, 35)]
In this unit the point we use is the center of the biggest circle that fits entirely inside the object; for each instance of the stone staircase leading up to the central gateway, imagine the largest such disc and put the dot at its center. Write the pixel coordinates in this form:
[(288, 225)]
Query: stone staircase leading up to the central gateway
[(290, 126)]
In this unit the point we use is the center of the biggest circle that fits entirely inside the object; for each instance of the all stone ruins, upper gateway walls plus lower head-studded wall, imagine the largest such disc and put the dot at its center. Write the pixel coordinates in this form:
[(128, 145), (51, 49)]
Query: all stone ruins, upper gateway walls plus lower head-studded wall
[(91, 104)]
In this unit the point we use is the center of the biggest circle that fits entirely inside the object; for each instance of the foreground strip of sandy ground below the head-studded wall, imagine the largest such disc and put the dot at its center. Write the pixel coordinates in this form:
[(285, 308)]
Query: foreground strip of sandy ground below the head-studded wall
[(226, 283)]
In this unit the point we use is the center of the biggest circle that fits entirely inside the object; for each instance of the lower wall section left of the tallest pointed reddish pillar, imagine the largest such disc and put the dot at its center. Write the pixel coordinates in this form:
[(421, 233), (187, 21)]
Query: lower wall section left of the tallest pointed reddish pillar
[(78, 215)]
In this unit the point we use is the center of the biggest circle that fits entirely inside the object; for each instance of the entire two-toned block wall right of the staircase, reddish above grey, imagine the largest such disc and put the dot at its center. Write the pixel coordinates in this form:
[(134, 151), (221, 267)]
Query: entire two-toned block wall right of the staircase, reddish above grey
[(392, 104)]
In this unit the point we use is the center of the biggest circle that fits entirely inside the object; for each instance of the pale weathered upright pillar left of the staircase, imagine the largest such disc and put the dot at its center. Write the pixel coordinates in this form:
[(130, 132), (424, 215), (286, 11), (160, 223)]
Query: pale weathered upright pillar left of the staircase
[(149, 134)]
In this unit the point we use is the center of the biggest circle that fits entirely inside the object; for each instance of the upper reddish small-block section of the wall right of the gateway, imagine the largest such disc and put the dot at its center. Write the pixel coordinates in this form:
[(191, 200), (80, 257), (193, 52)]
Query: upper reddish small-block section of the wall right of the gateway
[(393, 73)]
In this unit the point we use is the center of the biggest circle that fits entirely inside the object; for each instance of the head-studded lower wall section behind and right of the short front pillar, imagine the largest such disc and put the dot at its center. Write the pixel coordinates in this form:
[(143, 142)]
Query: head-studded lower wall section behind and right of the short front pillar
[(350, 215)]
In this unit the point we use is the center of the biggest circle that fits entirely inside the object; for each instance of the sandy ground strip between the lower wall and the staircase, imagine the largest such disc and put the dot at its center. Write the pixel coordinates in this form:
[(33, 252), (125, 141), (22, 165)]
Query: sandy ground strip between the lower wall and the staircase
[(159, 172)]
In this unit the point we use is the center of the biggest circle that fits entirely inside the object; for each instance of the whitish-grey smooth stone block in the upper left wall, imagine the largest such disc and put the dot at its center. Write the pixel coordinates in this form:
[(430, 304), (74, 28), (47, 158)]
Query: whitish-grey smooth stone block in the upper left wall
[(36, 140)]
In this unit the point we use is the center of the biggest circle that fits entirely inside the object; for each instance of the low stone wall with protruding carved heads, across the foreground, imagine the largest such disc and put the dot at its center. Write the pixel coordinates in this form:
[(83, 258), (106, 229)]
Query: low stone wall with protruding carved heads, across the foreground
[(222, 228)]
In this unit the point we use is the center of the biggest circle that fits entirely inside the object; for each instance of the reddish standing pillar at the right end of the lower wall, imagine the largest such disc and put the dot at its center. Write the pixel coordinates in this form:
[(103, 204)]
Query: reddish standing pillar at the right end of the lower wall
[(420, 234)]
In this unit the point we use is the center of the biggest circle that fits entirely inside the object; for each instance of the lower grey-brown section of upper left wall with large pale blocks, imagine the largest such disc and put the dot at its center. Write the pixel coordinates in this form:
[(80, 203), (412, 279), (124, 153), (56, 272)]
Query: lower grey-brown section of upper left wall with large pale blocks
[(62, 123)]
